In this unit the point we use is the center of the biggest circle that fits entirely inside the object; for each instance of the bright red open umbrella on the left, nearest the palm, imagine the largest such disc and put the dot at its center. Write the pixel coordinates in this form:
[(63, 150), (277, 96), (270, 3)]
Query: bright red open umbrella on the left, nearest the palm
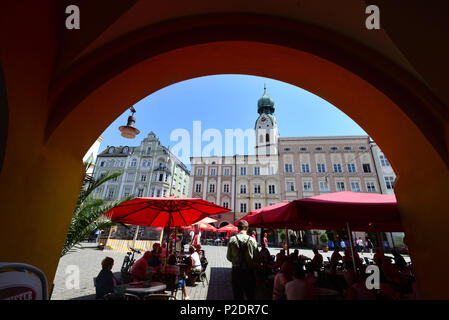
[(163, 212)]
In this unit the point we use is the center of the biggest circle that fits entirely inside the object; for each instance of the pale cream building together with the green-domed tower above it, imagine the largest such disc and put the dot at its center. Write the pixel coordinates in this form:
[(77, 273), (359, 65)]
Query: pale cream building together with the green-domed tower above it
[(242, 183)]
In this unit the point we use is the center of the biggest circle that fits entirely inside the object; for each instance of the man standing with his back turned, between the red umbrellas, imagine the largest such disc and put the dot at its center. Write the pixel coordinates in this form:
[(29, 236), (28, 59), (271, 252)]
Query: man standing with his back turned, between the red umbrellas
[(243, 253)]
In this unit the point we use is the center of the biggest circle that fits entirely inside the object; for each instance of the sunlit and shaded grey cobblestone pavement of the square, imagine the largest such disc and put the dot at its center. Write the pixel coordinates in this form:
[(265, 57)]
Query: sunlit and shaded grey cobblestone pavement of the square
[(88, 259)]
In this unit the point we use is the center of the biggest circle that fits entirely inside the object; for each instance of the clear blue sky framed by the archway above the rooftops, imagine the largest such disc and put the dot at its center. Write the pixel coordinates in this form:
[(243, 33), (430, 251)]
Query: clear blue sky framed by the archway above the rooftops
[(230, 102)]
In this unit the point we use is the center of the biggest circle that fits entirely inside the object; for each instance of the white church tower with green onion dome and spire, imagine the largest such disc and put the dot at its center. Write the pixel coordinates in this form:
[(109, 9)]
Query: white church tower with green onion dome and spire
[(266, 128)]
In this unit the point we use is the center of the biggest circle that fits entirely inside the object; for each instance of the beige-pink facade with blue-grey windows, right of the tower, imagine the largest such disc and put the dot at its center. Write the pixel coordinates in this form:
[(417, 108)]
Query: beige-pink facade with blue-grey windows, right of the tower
[(316, 165)]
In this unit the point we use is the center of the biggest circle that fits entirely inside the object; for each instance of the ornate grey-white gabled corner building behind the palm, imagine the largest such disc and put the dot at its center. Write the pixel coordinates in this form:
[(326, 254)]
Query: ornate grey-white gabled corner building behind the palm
[(148, 170)]
